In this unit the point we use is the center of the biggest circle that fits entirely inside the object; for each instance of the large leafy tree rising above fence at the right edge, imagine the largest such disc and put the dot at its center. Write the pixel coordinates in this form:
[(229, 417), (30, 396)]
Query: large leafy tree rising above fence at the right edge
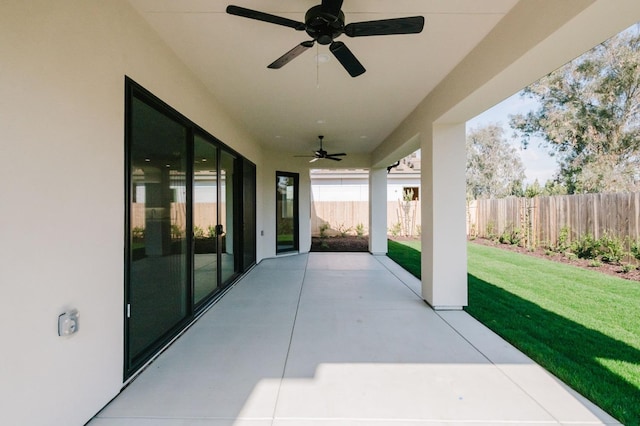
[(589, 117)]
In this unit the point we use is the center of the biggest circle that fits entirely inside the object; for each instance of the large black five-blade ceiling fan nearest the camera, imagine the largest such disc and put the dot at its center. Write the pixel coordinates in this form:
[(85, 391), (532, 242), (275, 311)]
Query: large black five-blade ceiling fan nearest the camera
[(324, 23)]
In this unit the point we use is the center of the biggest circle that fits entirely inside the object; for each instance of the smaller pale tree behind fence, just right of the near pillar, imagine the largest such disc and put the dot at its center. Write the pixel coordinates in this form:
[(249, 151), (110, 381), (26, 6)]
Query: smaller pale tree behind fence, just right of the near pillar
[(494, 168)]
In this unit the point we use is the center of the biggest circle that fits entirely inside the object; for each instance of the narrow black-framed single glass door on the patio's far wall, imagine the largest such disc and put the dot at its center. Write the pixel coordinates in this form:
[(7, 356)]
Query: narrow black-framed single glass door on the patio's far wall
[(286, 212)]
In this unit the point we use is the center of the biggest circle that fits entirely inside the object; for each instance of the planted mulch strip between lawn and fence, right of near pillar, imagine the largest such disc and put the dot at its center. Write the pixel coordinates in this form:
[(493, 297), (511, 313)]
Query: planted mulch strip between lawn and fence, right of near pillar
[(605, 268)]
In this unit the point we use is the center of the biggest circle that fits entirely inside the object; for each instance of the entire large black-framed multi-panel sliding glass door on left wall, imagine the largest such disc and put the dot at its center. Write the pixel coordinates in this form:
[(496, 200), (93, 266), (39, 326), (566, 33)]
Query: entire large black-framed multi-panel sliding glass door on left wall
[(186, 195)]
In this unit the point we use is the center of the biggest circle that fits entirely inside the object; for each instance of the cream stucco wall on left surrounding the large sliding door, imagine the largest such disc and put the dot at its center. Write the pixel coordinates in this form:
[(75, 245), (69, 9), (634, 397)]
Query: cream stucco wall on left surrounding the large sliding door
[(62, 70)]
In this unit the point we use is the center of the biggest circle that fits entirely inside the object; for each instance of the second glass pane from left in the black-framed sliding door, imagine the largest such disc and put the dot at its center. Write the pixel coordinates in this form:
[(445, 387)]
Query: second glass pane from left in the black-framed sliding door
[(205, 219)]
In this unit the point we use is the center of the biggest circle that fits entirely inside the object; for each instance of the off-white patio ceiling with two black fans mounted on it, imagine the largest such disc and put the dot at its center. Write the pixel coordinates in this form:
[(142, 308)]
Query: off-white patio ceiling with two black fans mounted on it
[(287, 109)]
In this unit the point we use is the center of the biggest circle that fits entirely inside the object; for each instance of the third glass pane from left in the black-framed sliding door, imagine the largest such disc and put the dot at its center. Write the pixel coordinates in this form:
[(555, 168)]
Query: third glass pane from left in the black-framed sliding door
[(227, 209)]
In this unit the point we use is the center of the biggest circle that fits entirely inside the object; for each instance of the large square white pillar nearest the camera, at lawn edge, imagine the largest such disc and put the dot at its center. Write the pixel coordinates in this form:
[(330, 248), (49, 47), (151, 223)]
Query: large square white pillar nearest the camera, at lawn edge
[(444, 246)]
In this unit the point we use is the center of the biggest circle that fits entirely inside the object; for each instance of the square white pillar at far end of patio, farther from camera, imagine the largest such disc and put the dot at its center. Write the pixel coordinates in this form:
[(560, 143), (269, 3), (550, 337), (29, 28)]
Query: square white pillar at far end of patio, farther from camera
[(378, 211)]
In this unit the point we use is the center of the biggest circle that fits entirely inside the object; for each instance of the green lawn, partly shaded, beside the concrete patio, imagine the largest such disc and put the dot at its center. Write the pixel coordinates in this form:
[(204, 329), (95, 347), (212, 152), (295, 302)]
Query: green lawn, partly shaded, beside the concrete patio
[(581, 325)]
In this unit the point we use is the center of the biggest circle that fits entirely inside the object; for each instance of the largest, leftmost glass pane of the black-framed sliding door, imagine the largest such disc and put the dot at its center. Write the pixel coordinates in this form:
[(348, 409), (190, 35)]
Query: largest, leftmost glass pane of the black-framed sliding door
[(159, 267)]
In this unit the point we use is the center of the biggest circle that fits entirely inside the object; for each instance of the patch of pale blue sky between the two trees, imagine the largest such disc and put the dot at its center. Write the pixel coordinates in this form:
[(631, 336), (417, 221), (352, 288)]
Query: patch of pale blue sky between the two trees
[(537, 162)]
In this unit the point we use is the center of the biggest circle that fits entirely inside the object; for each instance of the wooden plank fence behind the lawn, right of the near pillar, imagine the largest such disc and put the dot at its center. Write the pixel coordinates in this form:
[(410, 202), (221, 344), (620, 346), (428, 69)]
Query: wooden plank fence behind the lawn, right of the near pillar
[(541, 219)]
